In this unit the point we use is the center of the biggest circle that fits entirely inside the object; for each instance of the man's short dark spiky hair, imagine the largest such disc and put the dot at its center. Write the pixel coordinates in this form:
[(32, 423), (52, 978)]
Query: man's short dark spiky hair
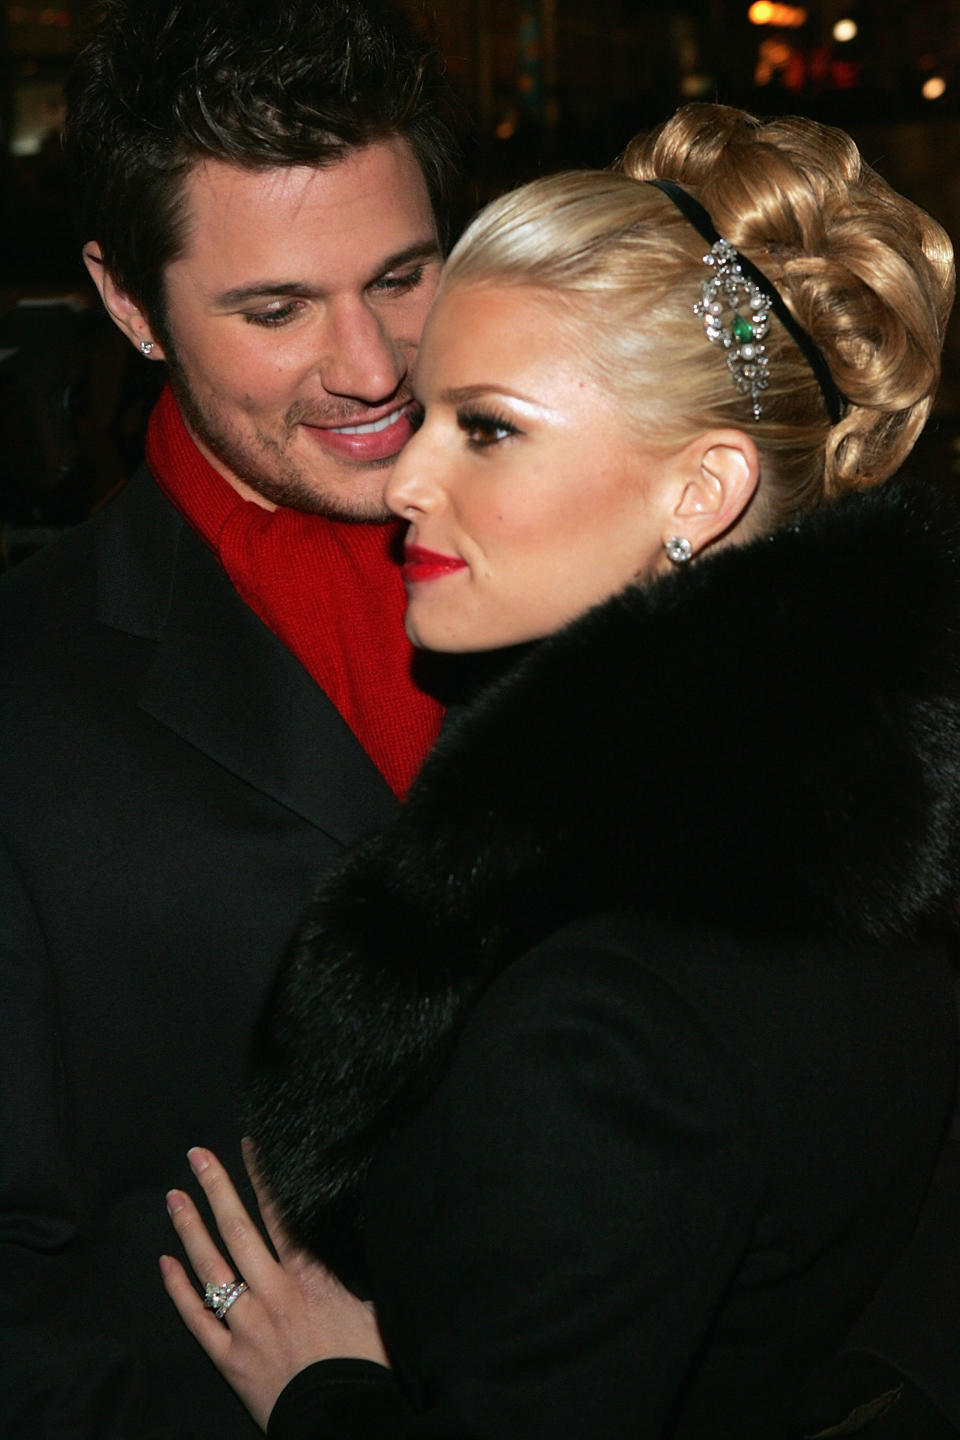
[(166, 84)]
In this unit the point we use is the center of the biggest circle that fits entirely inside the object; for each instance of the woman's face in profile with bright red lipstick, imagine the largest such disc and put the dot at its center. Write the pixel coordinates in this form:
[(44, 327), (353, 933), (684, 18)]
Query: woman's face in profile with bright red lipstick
[(529, 502)]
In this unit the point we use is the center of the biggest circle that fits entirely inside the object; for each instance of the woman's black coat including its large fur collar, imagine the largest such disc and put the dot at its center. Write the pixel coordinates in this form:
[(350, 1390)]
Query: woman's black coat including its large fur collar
[(618, 1065)]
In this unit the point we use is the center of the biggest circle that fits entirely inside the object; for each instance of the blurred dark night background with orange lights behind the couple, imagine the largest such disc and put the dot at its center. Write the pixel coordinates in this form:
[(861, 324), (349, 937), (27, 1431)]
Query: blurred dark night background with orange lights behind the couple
[(548, 84)]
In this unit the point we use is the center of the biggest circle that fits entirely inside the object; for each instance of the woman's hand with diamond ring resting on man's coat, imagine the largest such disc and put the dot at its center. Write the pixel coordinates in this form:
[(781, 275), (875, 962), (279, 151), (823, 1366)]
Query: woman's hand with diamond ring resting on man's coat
[(291, 1314)]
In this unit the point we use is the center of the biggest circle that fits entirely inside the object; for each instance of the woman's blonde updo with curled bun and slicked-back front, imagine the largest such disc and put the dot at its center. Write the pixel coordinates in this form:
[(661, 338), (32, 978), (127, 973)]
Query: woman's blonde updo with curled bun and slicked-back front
[(867, 274)]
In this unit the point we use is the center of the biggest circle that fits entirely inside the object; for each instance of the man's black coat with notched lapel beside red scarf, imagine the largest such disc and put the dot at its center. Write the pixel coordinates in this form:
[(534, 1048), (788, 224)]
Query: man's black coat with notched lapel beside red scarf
[(172, 781)]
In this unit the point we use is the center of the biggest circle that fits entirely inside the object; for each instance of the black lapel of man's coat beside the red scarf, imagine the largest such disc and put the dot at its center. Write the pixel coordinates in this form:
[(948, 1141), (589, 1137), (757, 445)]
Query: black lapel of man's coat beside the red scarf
[(219, 678)]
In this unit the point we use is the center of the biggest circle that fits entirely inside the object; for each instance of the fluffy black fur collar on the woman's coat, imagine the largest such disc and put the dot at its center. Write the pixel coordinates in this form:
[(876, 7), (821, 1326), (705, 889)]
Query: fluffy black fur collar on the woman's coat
[(768, 739)]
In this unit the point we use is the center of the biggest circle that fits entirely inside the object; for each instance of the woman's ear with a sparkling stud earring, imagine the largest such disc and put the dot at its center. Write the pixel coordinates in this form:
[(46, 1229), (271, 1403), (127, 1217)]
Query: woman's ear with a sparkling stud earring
[(717, 483)]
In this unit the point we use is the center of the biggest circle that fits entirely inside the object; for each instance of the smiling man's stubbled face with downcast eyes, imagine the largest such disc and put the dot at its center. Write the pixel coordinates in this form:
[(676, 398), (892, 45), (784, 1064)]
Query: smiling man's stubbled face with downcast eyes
[(294, 316)]
